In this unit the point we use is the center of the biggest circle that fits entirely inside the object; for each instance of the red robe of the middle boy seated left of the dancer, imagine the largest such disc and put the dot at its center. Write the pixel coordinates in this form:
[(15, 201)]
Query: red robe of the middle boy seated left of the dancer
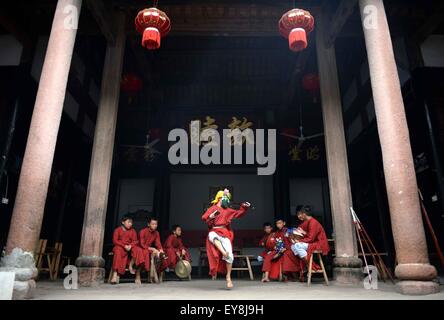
[(148, 239)]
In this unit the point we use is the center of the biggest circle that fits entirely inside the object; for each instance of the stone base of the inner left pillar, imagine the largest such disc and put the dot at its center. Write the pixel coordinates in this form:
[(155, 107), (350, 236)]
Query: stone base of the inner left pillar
[(90, 271)]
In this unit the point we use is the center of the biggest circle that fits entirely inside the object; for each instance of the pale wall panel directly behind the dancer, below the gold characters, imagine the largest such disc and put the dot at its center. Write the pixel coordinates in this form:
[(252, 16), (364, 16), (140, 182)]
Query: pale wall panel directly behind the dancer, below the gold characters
[(190, 193)]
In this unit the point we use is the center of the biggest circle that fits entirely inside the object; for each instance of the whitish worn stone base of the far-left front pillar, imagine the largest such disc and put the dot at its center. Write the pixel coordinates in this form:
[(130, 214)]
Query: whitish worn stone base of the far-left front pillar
[(22, 264)]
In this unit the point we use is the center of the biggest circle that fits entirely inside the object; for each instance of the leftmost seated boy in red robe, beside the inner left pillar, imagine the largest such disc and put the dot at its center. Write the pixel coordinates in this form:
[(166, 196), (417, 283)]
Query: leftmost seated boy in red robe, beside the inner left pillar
[(125, 244)]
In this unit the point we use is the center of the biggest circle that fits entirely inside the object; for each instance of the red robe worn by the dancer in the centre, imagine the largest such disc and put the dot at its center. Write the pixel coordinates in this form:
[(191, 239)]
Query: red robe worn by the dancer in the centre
[(222, 220)]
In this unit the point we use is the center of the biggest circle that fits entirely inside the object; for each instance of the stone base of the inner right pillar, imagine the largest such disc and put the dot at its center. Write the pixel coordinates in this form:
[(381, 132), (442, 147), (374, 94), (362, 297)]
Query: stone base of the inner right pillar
[(347, 270)]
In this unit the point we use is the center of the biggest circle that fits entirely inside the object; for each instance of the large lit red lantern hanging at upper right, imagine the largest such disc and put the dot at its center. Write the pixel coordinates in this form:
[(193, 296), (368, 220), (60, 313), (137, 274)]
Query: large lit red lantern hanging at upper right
[(295, 25)]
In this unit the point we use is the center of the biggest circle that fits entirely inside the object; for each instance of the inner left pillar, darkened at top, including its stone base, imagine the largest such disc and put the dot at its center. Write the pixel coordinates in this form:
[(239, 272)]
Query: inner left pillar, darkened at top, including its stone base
[(90, 262)]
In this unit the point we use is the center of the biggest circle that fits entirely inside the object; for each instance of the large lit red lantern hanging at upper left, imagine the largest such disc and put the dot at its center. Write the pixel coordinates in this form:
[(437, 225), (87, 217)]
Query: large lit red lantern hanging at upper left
[(153, 24)]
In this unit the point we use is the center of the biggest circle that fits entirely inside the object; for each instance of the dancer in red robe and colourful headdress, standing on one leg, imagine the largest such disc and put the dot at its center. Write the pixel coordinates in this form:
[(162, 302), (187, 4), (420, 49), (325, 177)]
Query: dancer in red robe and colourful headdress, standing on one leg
[(219, 243)]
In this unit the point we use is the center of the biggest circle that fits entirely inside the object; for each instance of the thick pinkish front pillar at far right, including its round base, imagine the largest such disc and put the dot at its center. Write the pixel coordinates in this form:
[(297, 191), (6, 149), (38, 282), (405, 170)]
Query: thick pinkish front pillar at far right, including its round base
[(414, 270)]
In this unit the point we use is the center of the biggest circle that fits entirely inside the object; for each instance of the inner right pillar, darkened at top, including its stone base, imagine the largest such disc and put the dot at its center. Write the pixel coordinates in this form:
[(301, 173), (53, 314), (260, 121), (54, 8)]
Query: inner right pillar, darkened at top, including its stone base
[(347, 265)]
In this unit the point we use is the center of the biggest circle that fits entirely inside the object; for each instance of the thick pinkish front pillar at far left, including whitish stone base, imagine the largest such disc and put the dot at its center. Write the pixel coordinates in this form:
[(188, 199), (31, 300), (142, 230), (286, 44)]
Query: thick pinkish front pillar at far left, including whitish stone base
[(32, 189)]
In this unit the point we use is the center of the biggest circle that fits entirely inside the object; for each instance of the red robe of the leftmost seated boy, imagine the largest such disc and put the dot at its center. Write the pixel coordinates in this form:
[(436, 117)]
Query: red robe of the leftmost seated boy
[(121, 238)]
